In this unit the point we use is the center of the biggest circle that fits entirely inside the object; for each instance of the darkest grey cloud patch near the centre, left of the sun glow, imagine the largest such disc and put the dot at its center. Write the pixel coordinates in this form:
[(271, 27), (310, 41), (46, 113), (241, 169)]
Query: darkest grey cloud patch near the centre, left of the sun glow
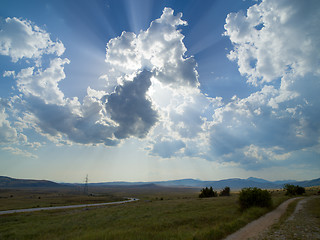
[(131, 109)]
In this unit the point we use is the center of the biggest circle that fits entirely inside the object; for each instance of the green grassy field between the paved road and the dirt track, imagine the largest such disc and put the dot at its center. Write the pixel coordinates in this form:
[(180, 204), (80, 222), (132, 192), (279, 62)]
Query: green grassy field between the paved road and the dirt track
[(162, 213)]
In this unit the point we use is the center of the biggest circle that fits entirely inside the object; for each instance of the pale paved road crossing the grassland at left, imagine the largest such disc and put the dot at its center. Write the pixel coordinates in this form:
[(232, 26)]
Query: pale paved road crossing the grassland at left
[(66, 207)]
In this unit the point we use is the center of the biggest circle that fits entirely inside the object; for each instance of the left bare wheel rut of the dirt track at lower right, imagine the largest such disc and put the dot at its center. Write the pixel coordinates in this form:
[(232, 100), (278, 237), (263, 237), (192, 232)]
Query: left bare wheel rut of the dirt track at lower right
[(254, 228)]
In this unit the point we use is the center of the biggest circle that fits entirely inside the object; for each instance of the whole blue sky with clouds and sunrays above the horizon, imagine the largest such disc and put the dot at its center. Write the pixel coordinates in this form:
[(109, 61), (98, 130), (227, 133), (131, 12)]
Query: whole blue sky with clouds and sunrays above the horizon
[(151, 90)]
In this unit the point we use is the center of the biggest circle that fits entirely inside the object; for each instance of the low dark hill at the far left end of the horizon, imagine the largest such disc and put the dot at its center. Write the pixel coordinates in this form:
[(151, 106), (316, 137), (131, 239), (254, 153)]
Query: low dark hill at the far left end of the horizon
[(7, 182)]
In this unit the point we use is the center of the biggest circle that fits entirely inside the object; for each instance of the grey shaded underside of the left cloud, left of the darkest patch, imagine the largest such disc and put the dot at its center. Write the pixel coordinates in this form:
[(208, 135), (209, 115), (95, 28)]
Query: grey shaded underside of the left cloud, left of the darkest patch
[(59, 121)]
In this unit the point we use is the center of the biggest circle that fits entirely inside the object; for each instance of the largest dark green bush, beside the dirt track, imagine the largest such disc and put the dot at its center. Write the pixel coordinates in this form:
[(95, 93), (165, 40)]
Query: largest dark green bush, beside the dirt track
[(250, 197)]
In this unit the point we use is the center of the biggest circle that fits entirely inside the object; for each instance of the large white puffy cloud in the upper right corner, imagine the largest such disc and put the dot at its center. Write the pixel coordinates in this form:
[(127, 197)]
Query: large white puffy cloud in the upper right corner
[(274, 38)]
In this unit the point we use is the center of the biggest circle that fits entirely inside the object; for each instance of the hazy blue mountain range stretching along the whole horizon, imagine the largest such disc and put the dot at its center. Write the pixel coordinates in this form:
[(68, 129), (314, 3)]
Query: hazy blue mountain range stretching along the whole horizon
[(233, 183)]
